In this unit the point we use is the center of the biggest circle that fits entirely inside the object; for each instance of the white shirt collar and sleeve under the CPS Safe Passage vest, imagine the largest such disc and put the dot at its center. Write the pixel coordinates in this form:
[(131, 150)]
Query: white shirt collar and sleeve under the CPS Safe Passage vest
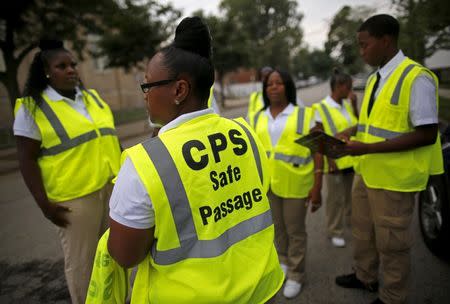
[(130, 204)]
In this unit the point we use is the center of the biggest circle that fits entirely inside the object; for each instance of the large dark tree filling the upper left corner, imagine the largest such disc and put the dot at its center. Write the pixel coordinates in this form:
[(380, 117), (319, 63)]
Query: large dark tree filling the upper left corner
[(129, 31)]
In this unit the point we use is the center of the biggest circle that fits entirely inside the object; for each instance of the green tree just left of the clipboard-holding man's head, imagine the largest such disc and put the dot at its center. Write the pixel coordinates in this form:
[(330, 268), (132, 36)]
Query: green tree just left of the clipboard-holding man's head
[(342, 45)]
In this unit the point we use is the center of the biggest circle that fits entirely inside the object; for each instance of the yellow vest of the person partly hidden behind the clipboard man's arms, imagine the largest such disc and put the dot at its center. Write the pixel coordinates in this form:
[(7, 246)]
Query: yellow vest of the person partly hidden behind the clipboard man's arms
[(333, 122)]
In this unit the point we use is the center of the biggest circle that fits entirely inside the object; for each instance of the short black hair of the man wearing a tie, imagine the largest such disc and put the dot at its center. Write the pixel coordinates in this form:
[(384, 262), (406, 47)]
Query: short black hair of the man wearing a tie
[(380, 25)]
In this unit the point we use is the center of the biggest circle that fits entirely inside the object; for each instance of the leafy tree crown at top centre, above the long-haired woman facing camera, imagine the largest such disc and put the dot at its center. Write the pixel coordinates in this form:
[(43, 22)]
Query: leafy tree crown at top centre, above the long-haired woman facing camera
[(271, 29)]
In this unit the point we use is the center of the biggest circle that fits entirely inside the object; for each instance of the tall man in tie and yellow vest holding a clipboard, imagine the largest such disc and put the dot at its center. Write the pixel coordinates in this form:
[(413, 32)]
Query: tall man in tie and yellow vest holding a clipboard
[(399, 147)]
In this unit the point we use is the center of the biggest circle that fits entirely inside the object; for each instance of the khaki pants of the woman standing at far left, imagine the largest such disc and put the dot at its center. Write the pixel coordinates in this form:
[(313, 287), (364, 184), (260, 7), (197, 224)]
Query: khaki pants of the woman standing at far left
[(88, 221)]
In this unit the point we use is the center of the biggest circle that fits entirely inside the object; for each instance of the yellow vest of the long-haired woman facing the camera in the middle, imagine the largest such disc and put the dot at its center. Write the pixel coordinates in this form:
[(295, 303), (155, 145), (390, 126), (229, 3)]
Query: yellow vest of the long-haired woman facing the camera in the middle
[(291, 165)]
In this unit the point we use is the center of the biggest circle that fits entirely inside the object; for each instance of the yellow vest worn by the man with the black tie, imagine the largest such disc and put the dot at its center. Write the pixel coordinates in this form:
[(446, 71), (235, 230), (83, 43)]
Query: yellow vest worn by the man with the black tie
[(405, 171)]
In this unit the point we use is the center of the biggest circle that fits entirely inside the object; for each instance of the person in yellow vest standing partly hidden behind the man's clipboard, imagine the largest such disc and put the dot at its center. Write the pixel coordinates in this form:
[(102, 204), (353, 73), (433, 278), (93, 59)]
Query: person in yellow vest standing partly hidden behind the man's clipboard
[(335, 114)]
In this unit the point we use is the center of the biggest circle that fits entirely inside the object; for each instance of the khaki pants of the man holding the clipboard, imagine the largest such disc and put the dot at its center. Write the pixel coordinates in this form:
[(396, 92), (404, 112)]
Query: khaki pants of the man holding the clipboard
[(381, 222)]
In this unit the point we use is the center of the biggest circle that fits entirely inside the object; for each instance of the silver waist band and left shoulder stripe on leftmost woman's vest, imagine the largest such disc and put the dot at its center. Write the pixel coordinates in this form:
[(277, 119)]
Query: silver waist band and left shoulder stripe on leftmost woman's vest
[(66, 142)]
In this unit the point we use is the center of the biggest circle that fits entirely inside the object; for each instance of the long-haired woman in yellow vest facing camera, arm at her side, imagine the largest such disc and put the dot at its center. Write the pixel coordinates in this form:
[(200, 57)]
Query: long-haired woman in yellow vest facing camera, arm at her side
[(293, 179)]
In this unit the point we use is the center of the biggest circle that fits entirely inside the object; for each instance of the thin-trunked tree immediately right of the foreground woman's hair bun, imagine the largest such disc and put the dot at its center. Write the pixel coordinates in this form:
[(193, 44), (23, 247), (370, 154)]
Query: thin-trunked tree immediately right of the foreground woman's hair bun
[(229, 53)]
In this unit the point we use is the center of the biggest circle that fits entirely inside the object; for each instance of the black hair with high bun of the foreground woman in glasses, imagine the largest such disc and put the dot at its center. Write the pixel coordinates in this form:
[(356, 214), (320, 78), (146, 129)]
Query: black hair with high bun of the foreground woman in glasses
[(191, 53)]
